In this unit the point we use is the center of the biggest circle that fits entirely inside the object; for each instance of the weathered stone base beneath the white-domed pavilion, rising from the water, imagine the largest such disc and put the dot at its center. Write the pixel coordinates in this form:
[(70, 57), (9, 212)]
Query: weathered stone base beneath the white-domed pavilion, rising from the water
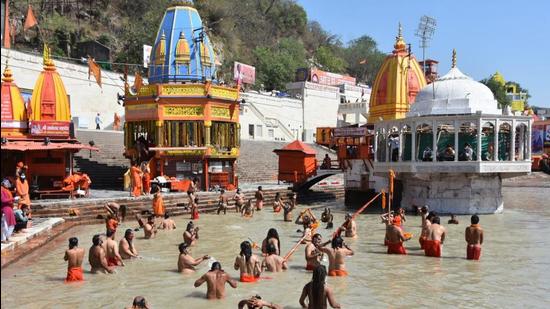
[(453, 193)]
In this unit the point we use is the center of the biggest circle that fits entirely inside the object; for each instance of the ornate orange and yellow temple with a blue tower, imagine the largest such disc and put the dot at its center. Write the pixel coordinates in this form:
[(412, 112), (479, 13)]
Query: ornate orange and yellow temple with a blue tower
[(182, 123)]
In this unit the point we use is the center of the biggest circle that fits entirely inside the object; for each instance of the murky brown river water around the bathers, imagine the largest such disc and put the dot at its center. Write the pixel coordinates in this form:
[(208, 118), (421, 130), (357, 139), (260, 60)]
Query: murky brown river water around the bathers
[(514, 270)]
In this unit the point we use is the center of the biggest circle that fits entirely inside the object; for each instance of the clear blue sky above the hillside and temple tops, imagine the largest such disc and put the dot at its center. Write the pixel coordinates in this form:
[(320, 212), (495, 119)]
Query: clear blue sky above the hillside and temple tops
[(512, 37)]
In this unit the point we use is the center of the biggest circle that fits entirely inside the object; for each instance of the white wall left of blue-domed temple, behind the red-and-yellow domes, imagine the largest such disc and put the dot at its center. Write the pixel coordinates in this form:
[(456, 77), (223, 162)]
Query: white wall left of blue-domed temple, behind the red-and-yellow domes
[(86, 98)]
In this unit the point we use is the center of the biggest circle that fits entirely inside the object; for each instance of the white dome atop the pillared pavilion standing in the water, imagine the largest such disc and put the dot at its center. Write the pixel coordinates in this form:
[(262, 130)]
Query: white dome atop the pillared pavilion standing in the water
[(454, 93)]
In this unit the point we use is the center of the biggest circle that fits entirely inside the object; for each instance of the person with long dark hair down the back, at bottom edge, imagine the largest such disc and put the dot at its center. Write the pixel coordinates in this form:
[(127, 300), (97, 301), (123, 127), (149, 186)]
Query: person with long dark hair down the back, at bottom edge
[(317, 292)]
